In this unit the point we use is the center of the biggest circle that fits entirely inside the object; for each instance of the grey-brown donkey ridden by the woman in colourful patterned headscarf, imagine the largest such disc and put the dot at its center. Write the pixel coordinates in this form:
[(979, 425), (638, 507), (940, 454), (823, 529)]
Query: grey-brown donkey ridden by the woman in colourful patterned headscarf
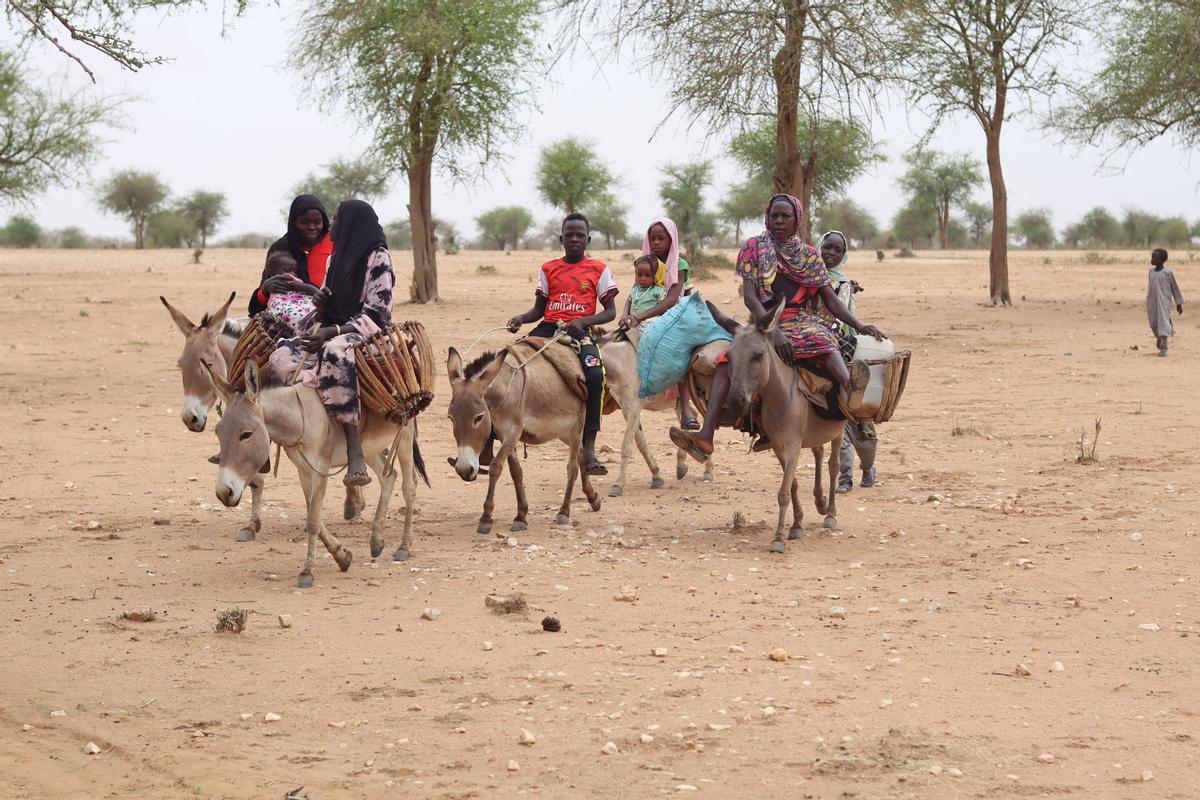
[(788, 418)]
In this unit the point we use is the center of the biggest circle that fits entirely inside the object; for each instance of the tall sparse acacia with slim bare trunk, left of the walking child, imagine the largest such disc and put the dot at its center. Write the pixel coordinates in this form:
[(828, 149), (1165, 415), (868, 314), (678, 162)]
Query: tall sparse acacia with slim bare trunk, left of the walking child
[(983, 58)]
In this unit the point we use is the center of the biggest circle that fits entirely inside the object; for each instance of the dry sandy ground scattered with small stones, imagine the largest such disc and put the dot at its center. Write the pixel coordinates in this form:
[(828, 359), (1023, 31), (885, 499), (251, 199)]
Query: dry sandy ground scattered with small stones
[(986, 551)]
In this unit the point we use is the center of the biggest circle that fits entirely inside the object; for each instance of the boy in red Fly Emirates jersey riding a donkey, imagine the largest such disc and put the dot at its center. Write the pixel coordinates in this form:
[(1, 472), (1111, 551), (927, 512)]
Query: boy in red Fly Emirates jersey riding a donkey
[(569, 290)]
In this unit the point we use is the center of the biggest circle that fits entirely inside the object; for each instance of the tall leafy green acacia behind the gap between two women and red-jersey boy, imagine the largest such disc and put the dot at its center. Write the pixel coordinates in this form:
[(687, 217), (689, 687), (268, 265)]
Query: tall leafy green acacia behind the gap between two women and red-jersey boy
[(441, 82)]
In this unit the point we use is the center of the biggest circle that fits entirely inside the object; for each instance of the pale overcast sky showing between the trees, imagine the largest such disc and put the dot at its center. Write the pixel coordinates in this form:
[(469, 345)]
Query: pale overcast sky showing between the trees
[(227, 116)]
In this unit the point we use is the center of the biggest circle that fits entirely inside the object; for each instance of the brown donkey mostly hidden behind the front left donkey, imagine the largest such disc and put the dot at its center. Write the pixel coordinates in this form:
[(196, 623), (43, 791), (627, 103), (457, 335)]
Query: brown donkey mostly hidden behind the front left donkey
[(212, 344)]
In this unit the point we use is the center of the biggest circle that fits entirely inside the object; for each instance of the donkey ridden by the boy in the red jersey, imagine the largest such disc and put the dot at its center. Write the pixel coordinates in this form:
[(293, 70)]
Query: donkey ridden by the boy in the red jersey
[(530, 405)]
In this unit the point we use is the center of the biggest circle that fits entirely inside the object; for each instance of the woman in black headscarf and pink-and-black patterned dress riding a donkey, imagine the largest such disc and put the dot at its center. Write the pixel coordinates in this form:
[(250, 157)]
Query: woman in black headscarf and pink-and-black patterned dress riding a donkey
[(355, 304)]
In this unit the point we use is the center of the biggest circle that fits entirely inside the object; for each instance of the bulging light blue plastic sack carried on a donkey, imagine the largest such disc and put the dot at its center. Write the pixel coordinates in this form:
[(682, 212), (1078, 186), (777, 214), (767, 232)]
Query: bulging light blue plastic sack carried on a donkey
[(665, 350)]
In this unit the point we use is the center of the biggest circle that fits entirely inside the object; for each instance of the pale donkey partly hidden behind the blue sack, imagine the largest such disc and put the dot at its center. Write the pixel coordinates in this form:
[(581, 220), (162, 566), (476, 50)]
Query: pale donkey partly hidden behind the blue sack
[(622, 380)]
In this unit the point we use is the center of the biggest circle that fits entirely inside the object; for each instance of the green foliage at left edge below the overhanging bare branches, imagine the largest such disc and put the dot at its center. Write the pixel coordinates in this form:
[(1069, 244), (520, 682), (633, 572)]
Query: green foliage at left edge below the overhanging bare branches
[(47, 140)]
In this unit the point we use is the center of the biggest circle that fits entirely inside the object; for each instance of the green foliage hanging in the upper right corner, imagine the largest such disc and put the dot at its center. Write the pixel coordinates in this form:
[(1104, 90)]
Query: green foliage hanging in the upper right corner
[(1150, 81)]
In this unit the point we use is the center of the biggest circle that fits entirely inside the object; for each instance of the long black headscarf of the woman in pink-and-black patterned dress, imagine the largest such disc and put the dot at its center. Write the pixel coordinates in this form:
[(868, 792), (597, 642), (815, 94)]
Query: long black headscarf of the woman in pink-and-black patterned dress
[(357, 236)]
